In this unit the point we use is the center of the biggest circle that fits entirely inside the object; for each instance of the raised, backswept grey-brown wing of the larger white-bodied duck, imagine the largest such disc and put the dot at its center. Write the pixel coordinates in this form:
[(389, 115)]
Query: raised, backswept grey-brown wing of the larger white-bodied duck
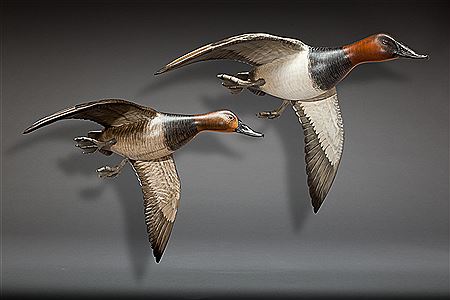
[(252, 48)]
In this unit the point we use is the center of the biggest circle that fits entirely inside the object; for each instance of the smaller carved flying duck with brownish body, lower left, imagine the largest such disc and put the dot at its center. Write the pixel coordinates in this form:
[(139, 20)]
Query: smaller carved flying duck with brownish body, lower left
[(146, 139)]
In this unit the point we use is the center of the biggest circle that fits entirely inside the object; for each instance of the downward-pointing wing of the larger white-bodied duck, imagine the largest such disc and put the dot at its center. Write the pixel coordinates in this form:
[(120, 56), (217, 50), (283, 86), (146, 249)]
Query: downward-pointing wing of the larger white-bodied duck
[(324, 142)]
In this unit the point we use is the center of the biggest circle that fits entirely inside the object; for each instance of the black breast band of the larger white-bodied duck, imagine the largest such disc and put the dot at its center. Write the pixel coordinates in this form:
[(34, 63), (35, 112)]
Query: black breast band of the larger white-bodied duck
[(328, 66)]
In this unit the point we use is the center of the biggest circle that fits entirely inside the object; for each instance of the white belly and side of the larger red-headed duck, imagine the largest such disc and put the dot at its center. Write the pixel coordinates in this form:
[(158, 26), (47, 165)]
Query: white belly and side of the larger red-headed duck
[(288, 78)]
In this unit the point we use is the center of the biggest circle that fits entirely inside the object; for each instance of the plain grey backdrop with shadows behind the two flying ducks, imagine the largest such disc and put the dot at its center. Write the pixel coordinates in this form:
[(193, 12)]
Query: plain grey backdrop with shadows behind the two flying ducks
[(245, 225)]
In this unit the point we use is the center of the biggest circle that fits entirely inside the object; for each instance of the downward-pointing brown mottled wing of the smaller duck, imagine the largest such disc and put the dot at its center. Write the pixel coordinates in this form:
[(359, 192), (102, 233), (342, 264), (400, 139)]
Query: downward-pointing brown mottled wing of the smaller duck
[(161, 188)]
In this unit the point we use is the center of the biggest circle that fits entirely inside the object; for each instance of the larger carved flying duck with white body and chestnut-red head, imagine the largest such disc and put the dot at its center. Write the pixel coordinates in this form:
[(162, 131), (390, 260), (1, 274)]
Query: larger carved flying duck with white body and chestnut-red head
[(305, 77)]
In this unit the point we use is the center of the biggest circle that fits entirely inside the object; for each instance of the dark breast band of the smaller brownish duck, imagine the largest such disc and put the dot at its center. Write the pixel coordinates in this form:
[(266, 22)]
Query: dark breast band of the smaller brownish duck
[(178, 130)]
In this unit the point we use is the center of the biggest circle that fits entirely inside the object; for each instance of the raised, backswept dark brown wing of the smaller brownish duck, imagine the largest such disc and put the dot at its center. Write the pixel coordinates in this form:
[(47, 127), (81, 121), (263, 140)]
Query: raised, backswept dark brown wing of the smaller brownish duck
[(108, 112)]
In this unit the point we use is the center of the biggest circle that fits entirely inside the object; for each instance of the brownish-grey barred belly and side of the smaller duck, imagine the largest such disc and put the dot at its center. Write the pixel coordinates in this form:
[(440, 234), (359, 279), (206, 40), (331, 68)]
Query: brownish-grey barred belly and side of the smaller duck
[(140, 141)]
